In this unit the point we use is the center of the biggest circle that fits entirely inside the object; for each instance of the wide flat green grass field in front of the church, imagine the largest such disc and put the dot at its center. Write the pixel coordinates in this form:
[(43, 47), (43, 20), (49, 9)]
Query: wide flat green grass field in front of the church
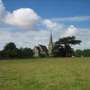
[(45, 74)]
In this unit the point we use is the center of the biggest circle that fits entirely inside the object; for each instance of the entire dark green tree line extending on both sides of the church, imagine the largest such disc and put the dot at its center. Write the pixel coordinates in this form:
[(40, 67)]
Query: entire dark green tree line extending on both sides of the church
[(61, 48)]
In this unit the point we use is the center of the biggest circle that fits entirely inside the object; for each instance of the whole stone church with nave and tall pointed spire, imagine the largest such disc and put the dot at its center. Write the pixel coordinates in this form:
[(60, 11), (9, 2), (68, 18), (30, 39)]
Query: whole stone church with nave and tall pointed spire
[(43, 51)]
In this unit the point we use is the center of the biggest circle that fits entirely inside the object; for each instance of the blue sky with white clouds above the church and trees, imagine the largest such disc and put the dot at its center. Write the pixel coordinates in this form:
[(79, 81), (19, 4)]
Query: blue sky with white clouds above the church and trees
[(29, 22)]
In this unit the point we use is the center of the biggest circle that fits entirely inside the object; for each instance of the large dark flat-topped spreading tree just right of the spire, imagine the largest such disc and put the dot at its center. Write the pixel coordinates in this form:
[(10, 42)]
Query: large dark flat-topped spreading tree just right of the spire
[(64, 45)]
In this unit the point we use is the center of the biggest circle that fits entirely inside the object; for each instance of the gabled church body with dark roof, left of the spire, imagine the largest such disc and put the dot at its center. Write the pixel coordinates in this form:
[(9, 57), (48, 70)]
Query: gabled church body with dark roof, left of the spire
[(40, 51)]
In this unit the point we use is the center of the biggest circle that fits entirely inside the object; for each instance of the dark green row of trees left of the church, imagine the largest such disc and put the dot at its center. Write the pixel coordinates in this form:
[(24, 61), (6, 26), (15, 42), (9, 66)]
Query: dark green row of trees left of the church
[(11, 51)]
